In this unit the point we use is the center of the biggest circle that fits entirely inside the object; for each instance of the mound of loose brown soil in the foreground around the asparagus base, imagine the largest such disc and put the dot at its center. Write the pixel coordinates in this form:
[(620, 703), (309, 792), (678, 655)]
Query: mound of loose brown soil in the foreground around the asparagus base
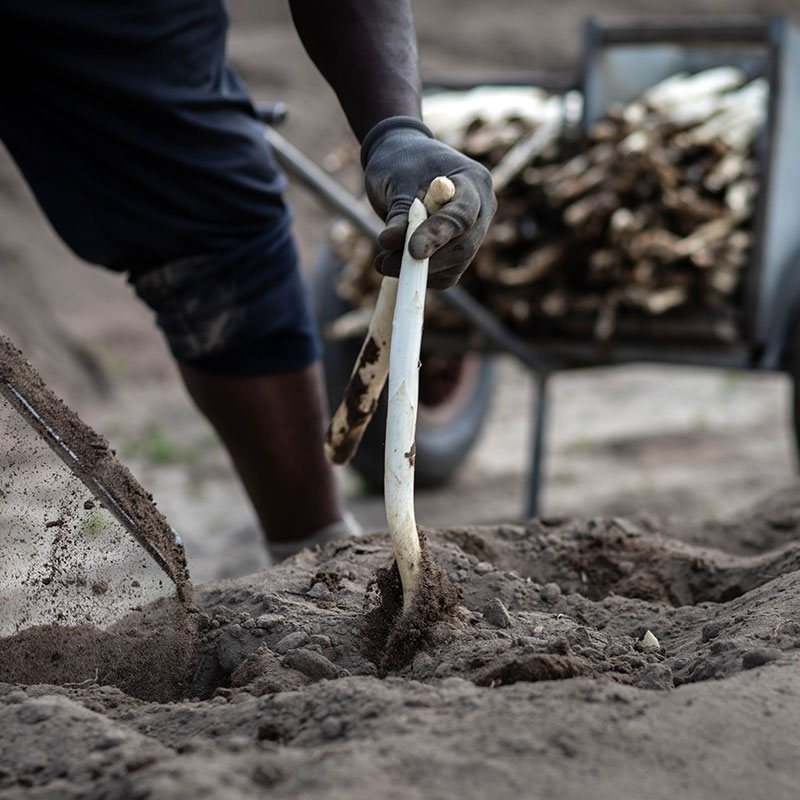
[(542, 685)]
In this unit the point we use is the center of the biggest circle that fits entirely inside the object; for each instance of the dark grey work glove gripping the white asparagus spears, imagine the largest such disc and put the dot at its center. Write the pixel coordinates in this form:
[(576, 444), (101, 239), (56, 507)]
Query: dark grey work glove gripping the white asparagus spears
[(400, 158)]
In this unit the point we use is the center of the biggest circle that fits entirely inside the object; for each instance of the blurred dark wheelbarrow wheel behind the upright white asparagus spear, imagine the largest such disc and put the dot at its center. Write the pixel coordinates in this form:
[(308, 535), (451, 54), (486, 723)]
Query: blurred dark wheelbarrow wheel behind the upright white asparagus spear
[(455, 392)]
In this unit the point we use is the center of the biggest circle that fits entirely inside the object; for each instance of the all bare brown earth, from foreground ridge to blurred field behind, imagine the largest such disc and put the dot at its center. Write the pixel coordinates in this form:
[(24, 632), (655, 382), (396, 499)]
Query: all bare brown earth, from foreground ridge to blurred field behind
[(542, 687)]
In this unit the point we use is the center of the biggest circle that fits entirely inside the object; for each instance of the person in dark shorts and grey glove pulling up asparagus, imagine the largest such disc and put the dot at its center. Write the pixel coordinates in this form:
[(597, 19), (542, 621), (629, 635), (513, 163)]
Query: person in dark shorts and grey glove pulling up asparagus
[(143, 149)]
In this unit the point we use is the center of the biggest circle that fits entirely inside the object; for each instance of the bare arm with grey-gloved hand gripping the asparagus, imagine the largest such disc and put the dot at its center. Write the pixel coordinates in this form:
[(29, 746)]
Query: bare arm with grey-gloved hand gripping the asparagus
[(366, 50)]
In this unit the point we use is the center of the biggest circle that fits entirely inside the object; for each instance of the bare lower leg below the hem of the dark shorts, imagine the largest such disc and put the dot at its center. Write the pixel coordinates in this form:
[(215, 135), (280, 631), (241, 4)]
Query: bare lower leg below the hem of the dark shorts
[(273, 427)]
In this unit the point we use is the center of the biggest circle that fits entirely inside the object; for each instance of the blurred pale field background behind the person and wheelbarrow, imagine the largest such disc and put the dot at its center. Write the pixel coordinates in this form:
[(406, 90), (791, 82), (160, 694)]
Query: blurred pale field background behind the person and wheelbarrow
[(684, 443)]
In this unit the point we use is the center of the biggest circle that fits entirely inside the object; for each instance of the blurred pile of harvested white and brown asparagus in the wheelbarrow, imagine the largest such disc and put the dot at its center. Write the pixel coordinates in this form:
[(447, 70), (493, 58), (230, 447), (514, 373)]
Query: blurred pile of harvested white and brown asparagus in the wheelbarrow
[(648, 213)]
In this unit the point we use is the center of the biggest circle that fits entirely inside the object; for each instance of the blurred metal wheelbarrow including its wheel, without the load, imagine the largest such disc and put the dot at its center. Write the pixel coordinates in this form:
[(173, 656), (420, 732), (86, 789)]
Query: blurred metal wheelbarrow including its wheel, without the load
[(620, 62)]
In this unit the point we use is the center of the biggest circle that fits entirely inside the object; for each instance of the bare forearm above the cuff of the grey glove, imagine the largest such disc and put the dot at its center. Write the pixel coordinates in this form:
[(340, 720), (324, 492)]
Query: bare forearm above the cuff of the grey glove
[(366, 50)]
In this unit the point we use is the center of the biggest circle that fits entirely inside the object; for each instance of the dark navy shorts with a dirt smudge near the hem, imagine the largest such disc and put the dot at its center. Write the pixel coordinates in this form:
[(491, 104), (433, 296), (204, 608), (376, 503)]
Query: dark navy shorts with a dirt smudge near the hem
[(142, 148)]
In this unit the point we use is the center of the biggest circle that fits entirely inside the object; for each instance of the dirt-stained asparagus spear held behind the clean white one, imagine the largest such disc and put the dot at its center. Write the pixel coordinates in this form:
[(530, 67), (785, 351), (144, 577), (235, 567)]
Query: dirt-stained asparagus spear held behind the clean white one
[(372, 365)]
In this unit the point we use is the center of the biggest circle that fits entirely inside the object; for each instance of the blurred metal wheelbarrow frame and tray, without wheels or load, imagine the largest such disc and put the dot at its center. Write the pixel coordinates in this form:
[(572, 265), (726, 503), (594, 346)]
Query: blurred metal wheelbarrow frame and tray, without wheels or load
[(620, 61)]
